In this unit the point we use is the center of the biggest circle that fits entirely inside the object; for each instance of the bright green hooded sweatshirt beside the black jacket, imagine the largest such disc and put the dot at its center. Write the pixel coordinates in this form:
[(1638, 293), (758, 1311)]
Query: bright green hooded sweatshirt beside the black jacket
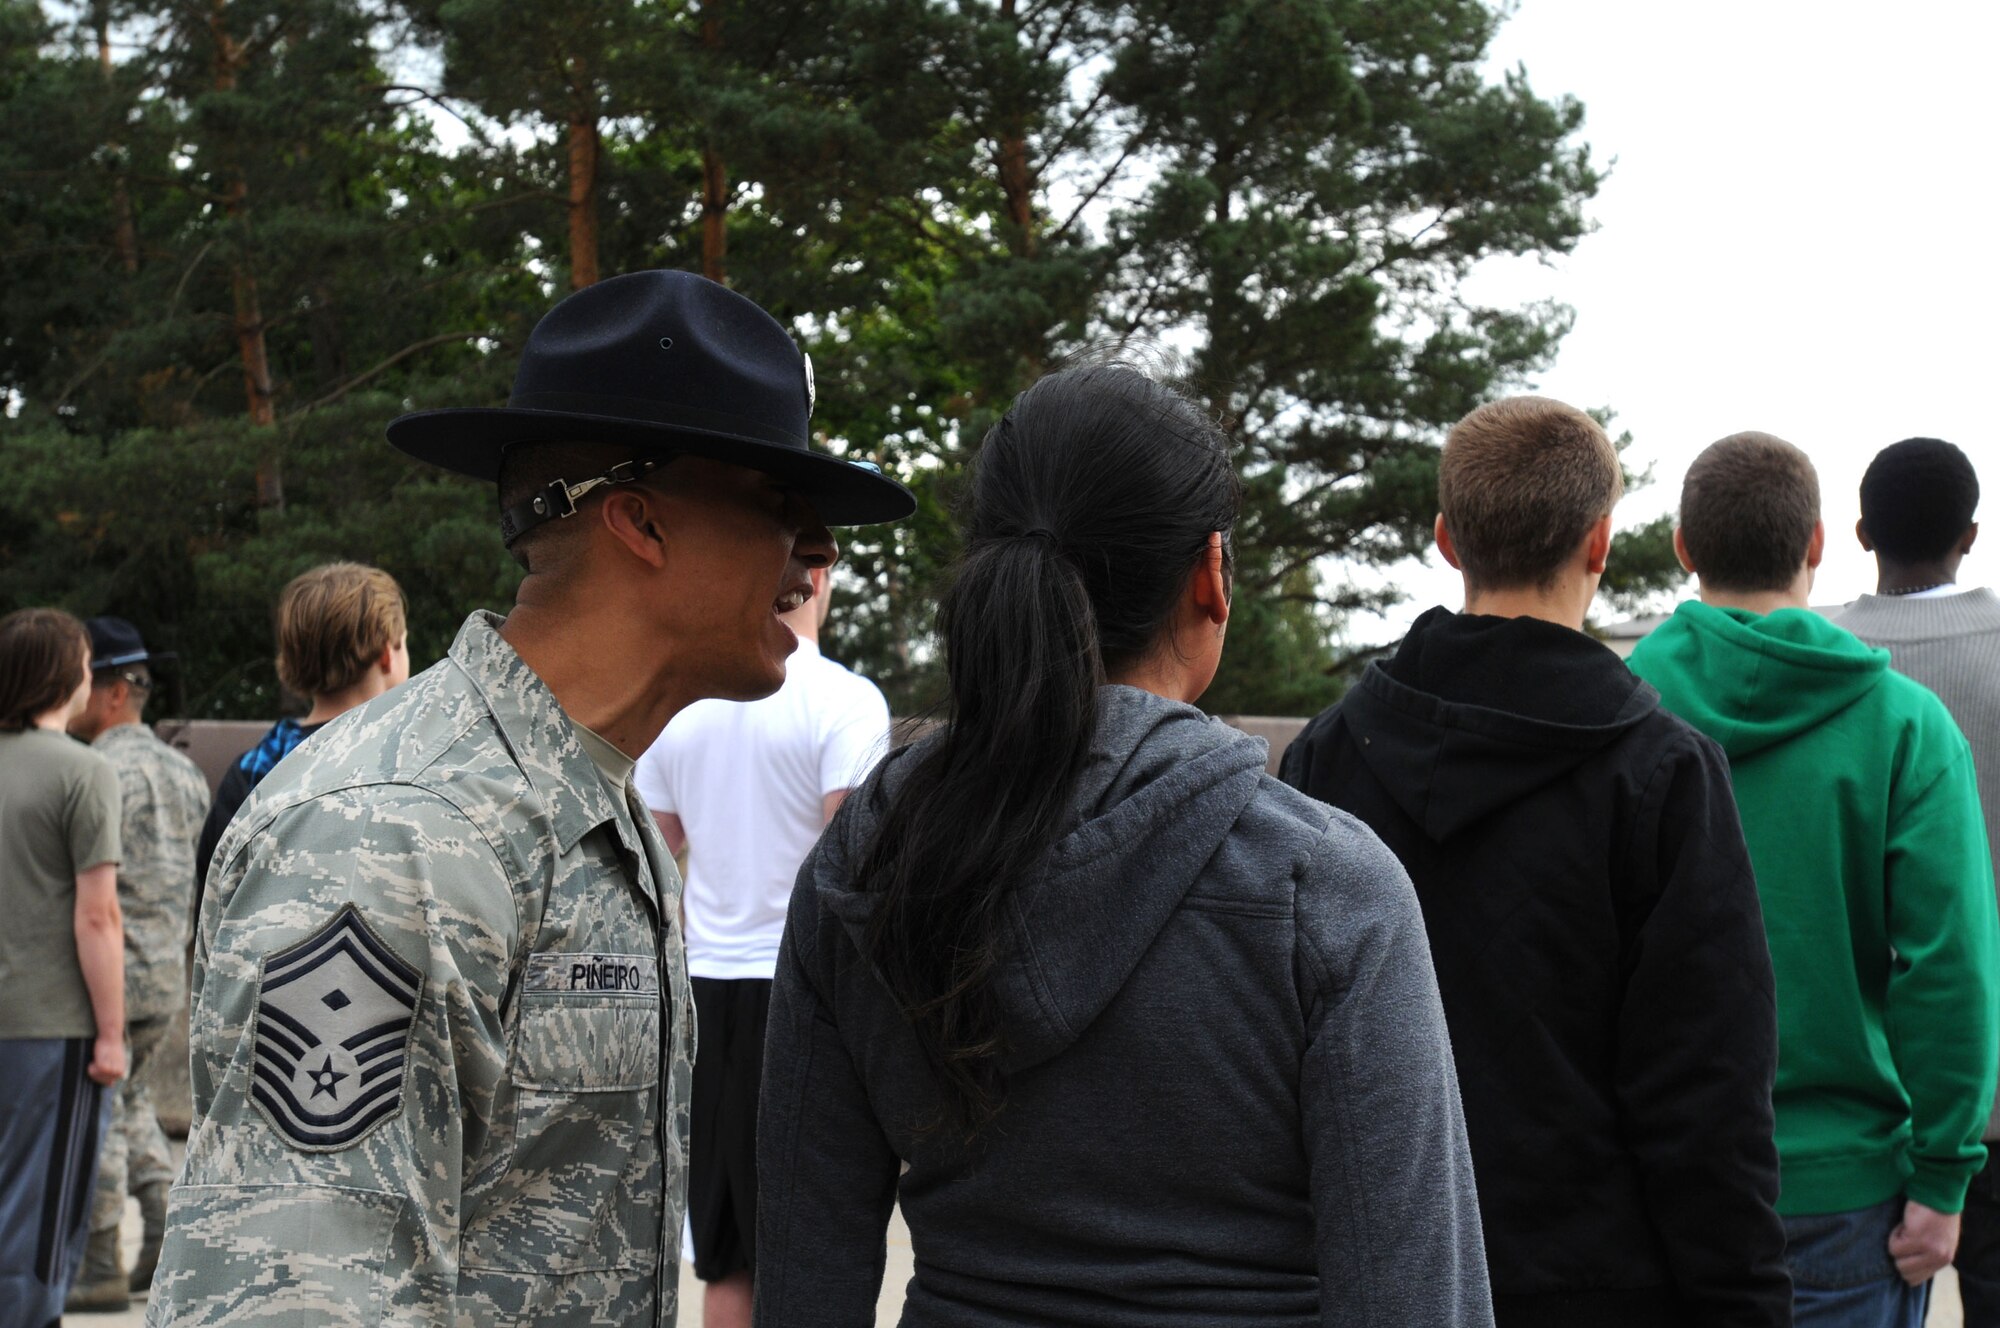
[(1863, 819)]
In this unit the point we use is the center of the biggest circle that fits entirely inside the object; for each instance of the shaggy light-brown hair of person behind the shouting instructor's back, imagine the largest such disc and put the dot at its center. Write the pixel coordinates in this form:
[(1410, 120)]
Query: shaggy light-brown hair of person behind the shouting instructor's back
[(335, 623)]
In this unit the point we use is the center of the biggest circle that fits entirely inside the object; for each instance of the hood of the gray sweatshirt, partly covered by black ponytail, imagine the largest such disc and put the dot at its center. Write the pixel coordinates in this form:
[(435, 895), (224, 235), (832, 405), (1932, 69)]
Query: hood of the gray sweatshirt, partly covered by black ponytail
[(1161, 791)]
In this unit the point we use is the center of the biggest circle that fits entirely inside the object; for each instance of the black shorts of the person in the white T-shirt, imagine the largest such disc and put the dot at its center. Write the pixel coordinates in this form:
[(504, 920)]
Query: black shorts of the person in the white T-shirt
[(729, 1065)]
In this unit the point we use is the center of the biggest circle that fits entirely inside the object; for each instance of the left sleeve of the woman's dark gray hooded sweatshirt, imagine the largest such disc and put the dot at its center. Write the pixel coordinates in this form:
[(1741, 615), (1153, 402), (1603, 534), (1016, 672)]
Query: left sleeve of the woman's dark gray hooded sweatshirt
[(827, 1177)]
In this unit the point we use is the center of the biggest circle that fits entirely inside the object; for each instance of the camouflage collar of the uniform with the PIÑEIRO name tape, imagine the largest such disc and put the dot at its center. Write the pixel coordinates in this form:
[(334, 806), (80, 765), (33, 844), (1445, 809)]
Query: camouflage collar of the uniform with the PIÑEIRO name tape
[(537, 731)]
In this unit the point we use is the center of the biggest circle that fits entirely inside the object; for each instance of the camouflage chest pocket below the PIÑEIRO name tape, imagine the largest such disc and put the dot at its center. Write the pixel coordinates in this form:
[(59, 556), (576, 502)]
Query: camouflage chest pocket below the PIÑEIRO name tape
[(583, 1187)]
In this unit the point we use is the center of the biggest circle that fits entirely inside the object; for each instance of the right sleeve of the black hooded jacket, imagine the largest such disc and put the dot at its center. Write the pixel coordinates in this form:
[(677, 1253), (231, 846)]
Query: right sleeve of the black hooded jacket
[(1699, 1047)]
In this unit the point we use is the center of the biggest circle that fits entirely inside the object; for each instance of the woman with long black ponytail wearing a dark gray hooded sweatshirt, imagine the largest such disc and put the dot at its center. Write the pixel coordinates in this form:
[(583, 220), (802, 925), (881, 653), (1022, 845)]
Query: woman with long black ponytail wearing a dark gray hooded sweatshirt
[(1137, 1035)]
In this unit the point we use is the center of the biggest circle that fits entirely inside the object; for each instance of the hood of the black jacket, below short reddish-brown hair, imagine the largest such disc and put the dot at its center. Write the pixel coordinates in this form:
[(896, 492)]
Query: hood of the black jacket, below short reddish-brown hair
[(1477, 713)]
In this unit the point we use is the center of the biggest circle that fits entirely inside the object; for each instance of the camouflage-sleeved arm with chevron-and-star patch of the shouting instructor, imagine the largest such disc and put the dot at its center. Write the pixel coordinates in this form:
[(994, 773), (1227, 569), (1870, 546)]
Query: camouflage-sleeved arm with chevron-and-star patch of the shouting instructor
[(299, 1223)]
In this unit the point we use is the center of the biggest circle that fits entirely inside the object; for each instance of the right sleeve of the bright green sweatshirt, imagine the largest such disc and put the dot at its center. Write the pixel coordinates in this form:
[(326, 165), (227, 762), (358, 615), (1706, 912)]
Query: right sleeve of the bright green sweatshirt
[(1943, 991)]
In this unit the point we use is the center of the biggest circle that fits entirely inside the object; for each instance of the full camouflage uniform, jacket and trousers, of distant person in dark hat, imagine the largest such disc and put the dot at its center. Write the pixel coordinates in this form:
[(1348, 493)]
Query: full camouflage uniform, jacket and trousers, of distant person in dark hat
[(165, 801)]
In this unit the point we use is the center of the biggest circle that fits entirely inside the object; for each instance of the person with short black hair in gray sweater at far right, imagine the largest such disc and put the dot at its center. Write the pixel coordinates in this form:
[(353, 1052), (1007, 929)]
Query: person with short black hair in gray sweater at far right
[(1919, 505)]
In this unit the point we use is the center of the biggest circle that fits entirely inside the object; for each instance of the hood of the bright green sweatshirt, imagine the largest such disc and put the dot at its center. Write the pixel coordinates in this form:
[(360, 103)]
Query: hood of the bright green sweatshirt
[(1751, 681)]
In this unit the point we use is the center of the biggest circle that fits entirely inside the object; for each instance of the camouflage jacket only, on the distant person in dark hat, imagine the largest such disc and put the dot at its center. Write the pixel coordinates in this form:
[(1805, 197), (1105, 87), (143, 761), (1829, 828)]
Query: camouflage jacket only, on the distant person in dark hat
[(165, 803)]
